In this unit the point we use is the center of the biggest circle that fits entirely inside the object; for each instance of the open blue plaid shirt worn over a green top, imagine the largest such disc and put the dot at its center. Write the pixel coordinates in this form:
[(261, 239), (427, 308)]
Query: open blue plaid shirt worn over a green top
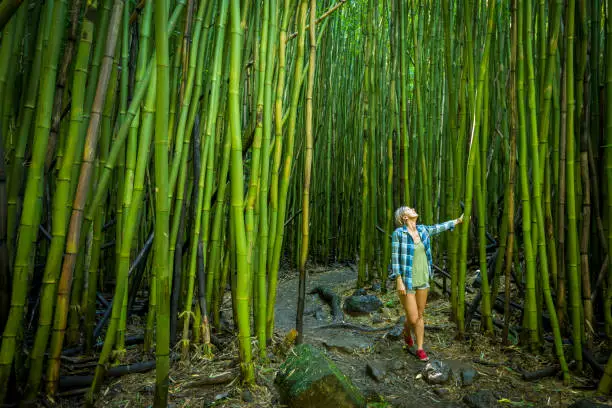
[(402, 249)]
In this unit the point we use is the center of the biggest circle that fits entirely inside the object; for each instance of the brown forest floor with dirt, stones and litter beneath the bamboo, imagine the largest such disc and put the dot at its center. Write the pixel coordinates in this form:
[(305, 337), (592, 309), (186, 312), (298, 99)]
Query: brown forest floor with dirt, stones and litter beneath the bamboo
[(400, 383)]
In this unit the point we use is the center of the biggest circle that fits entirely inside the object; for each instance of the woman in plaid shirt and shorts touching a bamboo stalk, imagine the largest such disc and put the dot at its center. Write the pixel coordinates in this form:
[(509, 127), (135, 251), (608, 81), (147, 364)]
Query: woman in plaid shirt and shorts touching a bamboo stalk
[(411, 268)]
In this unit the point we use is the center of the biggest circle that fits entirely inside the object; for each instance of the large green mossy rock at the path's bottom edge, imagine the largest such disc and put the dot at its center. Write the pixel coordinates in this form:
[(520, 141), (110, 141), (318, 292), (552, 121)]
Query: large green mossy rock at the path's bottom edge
[(309, 379)]
